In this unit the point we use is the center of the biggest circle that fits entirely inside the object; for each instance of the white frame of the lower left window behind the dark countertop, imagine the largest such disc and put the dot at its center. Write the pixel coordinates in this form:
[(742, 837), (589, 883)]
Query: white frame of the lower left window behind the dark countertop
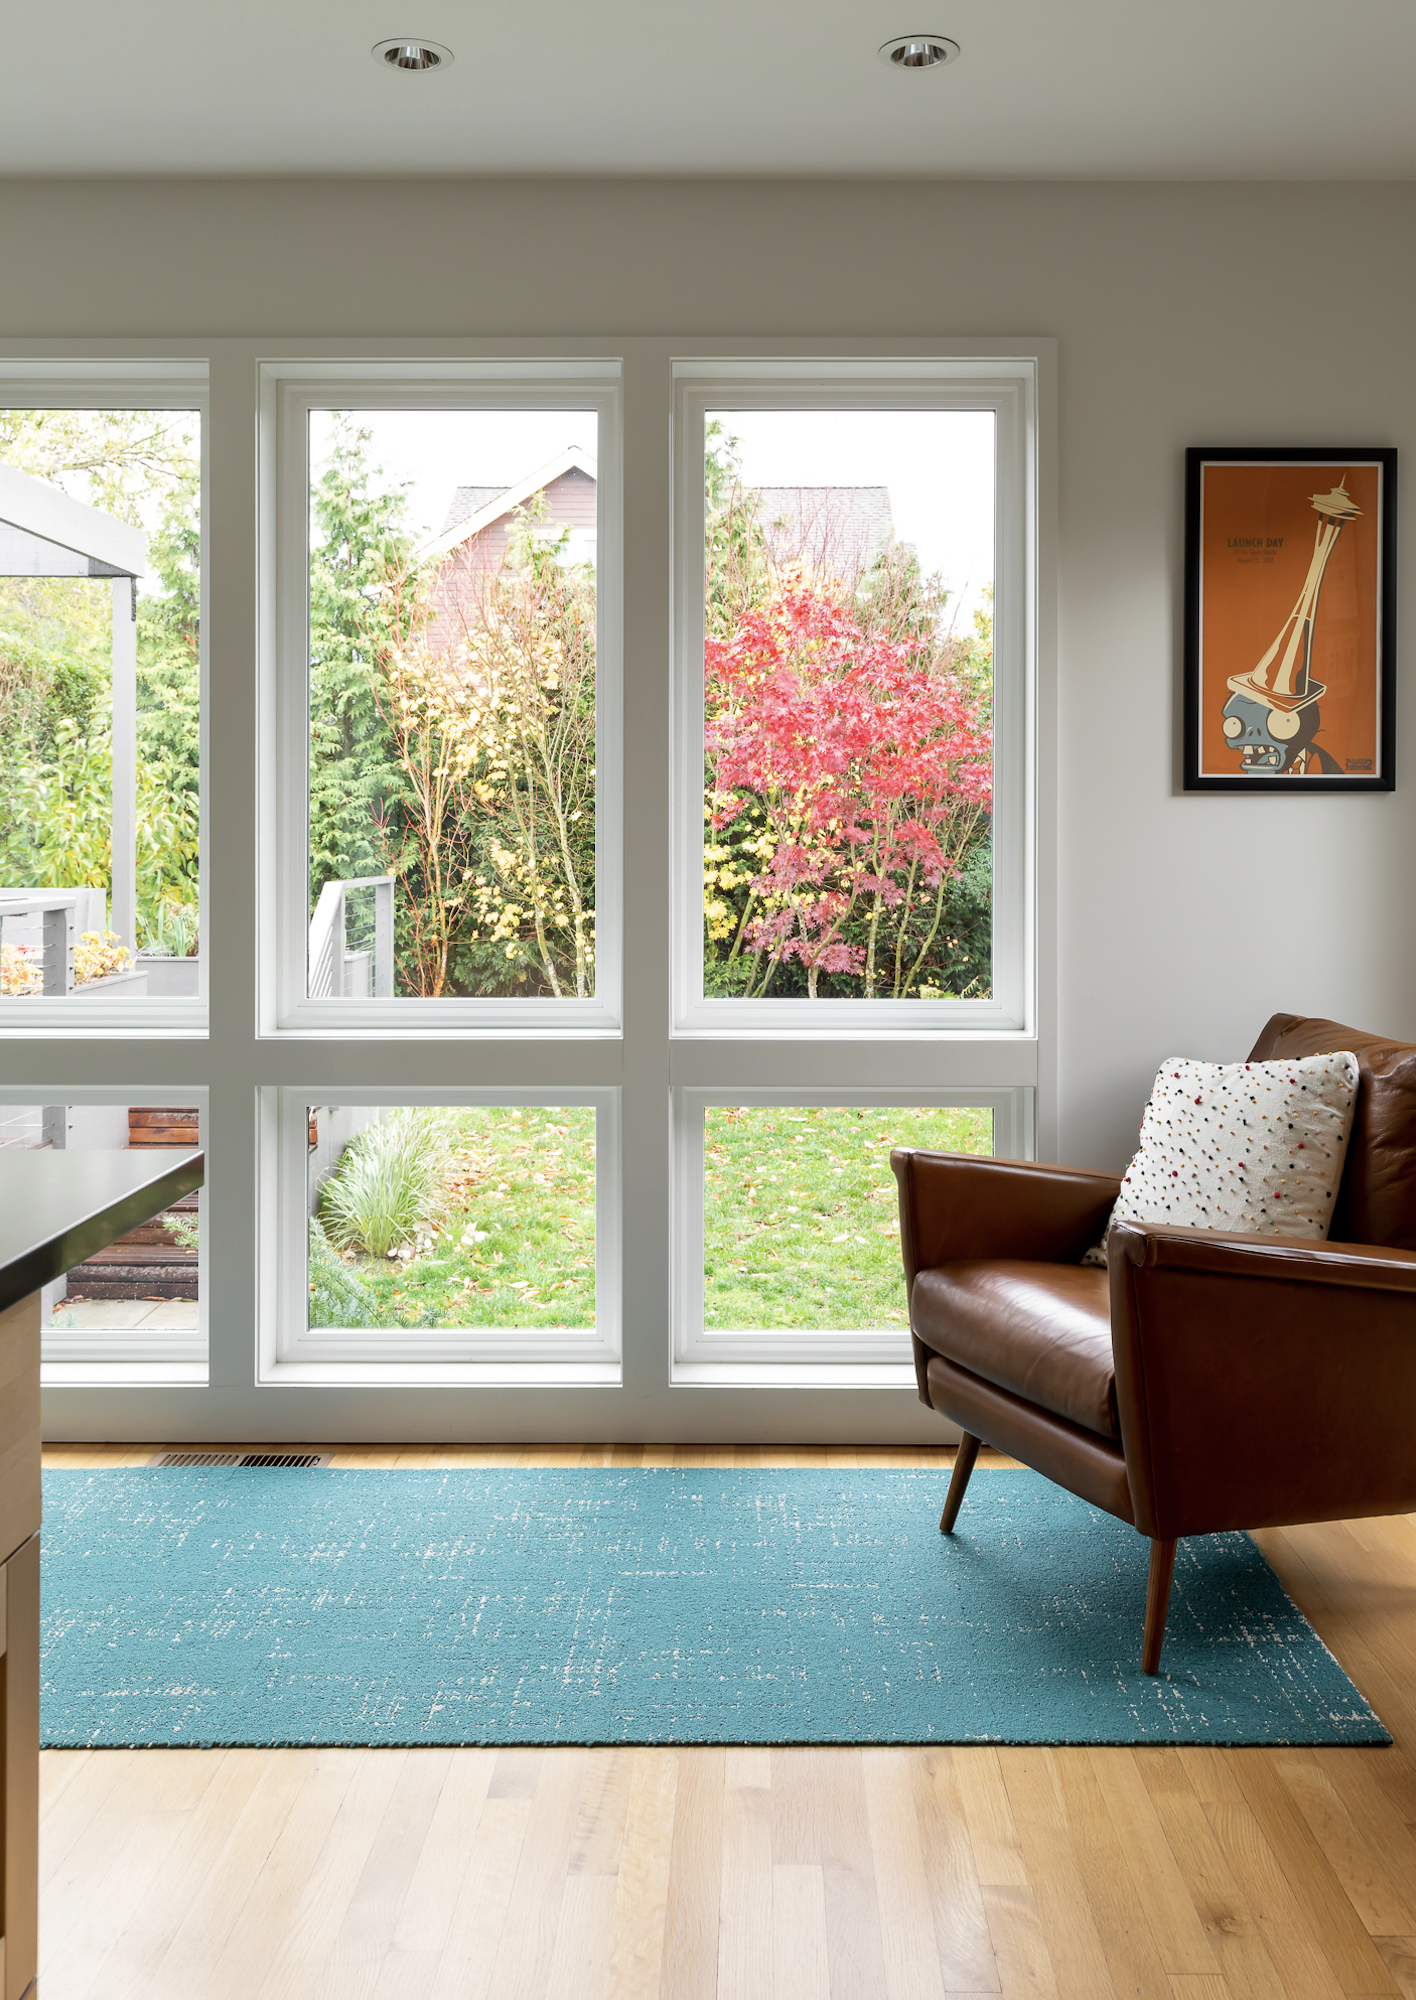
[(169, 1355)]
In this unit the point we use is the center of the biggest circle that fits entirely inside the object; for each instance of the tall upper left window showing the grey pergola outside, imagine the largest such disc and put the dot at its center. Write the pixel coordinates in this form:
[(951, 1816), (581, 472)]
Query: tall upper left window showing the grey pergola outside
[(101, 701)]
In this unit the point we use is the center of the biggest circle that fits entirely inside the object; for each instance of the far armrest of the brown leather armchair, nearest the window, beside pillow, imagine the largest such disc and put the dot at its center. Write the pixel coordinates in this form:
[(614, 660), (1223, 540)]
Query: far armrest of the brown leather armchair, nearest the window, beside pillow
[(957, 1205)]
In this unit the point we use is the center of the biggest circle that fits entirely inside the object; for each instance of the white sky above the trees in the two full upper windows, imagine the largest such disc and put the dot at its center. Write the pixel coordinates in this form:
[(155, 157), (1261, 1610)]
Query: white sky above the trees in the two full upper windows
[(939, 465)]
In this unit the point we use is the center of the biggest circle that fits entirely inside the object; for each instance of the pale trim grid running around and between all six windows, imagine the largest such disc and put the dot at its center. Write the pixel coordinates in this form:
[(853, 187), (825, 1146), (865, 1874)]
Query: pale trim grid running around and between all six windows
[(641, 1403)]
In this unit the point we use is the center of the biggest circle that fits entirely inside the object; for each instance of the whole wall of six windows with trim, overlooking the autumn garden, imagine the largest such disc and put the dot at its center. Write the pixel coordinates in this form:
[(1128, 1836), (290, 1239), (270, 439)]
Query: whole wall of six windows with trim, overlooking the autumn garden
[(623, 755)]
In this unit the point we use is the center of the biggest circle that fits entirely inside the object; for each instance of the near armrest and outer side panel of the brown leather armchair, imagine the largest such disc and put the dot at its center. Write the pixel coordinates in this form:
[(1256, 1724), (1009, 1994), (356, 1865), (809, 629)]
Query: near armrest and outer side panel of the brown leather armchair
[(1263, 1381)]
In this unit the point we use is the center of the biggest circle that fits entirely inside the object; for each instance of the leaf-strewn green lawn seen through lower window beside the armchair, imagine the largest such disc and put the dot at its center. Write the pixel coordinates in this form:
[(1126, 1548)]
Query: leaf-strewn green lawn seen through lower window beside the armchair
[(801, 1213)]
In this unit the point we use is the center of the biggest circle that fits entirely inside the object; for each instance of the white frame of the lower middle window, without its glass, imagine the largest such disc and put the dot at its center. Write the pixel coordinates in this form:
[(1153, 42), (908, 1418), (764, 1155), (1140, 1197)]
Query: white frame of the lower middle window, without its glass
[(297, 1353)]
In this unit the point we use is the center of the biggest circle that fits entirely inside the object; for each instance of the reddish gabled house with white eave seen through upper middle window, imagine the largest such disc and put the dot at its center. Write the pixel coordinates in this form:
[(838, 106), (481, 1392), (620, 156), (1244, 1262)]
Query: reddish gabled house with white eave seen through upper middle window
[(479, 529)]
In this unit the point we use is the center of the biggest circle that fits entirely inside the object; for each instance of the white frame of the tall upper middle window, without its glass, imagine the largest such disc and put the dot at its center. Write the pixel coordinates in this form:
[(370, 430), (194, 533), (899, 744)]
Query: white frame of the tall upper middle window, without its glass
[(289, 391)]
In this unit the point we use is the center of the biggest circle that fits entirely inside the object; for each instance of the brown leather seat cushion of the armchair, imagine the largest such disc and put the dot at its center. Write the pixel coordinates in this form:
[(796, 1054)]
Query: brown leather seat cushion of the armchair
[(1039, 1331)]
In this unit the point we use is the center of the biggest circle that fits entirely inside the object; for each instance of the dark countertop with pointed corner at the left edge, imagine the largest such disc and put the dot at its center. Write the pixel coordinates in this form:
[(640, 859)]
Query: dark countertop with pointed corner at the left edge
[(59, 1207)]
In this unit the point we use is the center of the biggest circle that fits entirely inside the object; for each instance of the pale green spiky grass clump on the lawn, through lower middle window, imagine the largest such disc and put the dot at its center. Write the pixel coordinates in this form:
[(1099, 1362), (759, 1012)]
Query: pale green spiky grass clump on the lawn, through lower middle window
[(389, 1183)]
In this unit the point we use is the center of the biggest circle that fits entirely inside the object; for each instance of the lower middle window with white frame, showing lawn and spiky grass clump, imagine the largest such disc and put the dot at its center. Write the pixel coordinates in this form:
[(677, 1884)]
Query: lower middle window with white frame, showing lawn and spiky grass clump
[(477, 1227)]
